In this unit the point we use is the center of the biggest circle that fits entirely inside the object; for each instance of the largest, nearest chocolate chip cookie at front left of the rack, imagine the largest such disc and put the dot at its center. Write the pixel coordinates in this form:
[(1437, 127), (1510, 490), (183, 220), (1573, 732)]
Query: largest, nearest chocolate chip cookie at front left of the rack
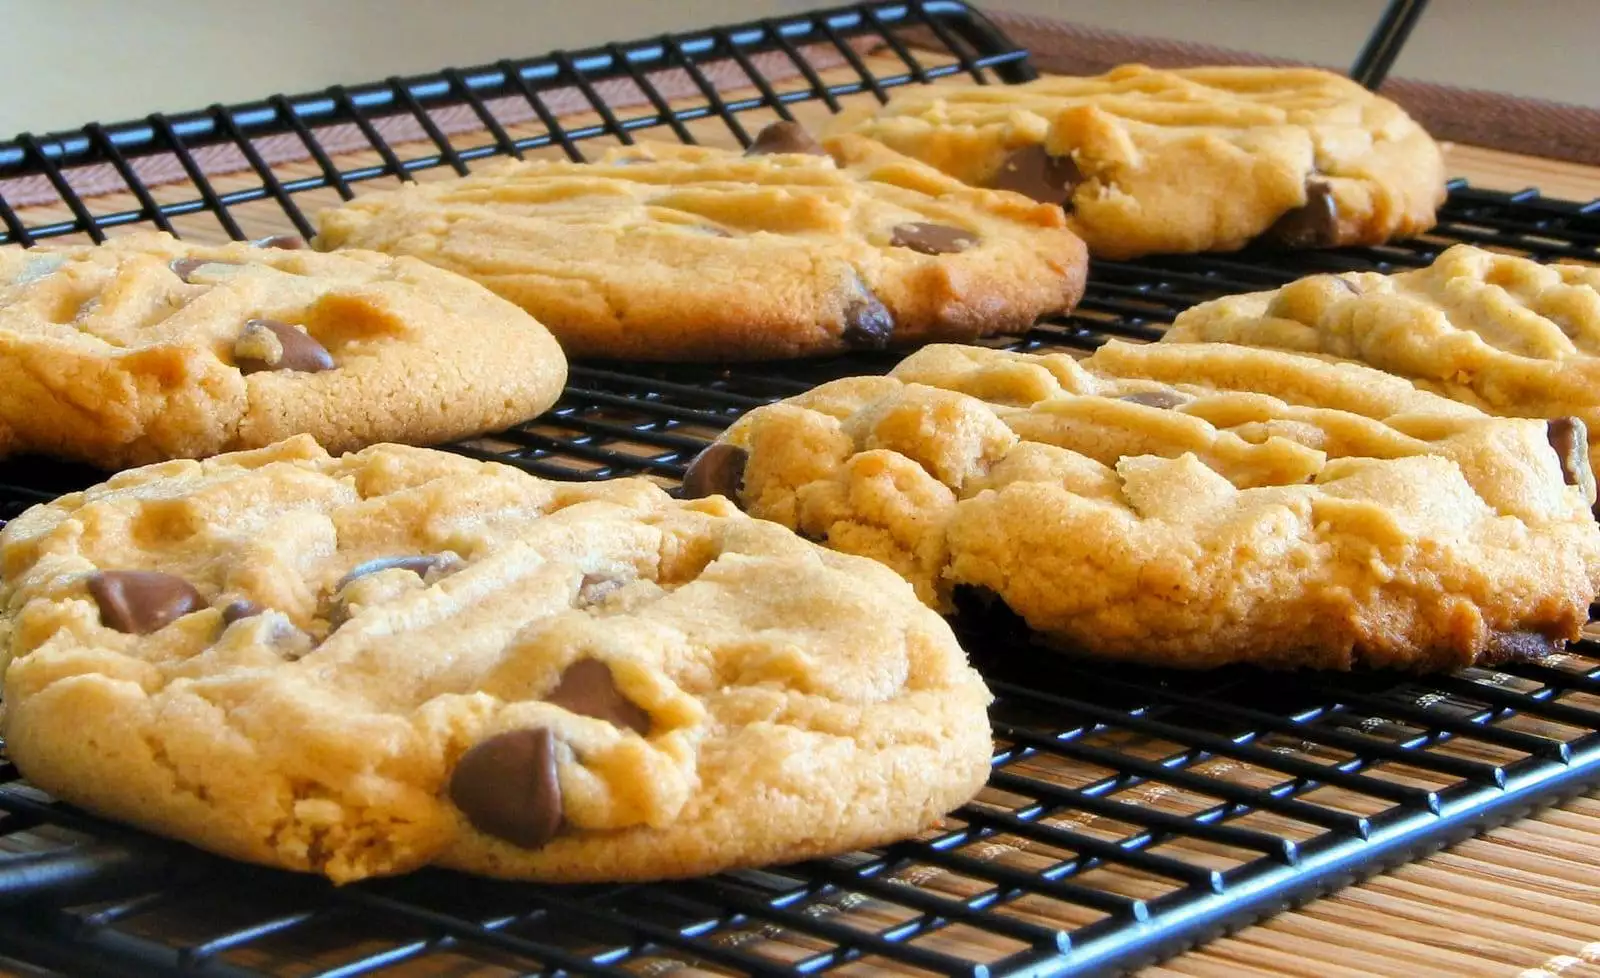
[(394, 659)]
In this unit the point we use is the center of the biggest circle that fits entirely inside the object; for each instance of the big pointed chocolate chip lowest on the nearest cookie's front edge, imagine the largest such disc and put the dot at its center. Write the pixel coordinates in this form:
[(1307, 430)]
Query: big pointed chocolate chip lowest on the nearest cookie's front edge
[(508, 787)]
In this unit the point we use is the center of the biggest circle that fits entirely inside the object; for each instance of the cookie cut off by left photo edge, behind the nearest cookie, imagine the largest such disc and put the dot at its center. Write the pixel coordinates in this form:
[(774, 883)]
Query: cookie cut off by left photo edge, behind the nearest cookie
[(150, 348)]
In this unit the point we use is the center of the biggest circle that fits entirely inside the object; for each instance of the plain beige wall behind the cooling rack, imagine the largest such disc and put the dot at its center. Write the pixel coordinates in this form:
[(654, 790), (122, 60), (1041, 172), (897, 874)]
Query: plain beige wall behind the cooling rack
[(65, 63)]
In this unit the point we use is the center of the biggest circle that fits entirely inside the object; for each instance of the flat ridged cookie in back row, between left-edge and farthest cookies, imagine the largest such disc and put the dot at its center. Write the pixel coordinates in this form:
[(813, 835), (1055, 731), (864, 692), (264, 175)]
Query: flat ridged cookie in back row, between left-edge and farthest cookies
[(689, 254)]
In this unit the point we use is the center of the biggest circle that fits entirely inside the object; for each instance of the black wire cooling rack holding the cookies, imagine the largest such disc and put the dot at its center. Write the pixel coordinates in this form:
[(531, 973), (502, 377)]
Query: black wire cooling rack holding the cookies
[(1130, 812)]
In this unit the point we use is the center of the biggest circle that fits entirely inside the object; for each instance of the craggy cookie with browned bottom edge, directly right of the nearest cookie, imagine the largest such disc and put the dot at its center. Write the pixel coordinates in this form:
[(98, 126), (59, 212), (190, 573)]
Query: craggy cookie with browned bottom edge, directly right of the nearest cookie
[(1188, 505)]
